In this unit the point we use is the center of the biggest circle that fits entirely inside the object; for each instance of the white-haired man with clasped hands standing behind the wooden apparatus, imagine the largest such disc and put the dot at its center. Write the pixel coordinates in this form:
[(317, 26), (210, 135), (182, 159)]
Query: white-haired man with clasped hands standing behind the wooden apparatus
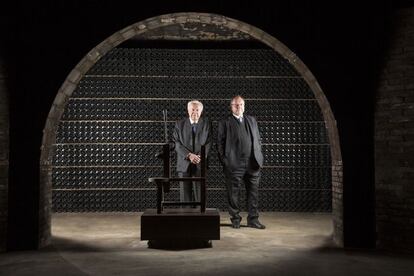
[(189, 135)]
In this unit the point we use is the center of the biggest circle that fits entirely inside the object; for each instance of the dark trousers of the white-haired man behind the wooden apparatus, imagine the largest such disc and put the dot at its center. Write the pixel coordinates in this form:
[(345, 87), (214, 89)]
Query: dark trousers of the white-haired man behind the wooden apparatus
[(190, 190)]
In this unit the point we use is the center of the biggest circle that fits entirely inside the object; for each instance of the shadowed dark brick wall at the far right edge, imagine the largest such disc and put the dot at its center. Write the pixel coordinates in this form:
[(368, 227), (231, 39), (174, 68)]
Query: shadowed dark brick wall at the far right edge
[(394, 139)]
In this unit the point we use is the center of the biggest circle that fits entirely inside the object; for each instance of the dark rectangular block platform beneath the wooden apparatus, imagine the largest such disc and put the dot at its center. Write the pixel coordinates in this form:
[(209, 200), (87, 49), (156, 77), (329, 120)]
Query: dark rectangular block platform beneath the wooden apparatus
[(180, 224)]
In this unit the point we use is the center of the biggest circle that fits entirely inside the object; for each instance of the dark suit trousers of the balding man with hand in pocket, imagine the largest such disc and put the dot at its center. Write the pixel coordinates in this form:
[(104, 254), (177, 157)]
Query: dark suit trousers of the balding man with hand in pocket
[(251, 178)]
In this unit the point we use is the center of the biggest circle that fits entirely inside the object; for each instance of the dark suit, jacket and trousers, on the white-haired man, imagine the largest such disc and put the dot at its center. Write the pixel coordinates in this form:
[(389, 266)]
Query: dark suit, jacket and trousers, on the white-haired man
[(186, 142)]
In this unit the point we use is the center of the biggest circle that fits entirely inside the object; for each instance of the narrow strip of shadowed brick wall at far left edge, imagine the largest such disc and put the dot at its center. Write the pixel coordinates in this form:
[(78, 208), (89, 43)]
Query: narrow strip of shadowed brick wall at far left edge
[(4, 156)]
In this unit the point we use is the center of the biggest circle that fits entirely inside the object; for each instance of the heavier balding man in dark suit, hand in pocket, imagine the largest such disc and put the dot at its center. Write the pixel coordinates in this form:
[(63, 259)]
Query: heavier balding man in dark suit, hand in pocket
[(240, 152)]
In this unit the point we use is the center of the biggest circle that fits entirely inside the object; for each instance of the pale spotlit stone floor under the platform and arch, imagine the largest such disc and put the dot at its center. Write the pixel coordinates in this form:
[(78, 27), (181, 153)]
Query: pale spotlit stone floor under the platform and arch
[(109, 244)]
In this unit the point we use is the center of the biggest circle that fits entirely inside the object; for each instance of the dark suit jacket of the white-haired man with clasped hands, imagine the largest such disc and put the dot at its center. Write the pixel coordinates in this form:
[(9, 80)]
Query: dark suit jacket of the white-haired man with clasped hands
[(183, 140)]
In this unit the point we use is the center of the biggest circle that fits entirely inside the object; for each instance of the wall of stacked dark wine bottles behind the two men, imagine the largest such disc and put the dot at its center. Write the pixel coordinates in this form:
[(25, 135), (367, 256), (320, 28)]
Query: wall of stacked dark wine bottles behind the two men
[(112, 128)]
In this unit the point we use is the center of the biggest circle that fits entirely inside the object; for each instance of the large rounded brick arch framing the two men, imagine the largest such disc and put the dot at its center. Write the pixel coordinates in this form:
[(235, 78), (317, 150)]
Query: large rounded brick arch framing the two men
[(220, 28)]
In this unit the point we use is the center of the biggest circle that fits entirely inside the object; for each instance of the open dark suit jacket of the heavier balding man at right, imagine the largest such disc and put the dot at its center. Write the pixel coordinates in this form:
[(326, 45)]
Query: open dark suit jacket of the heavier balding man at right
[(226, 137)]
